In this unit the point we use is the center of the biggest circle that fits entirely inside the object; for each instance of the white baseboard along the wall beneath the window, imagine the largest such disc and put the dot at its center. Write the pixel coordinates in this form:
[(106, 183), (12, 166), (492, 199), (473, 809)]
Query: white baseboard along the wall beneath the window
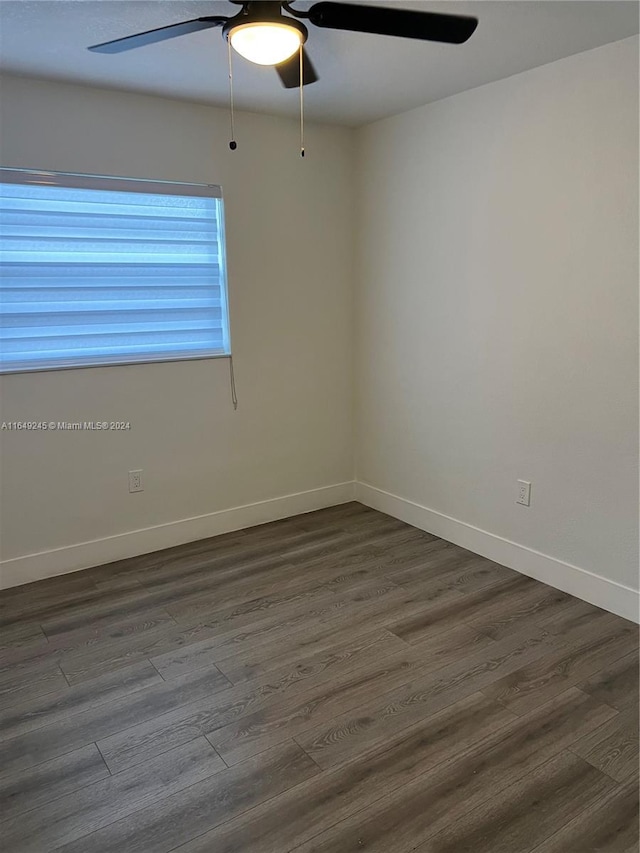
[(60, 561)]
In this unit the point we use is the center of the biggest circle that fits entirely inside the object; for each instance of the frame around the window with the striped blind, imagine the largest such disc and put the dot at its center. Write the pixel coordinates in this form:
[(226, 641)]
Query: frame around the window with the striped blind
[(79, 180)]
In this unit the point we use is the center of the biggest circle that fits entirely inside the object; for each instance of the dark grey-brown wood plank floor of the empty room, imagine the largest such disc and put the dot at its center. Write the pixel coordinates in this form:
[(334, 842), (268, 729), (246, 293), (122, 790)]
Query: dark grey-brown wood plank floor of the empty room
[(334, 682)]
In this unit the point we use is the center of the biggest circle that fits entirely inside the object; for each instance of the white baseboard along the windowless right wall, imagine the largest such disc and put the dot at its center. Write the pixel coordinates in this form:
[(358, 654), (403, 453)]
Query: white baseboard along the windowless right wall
[(611, 596)]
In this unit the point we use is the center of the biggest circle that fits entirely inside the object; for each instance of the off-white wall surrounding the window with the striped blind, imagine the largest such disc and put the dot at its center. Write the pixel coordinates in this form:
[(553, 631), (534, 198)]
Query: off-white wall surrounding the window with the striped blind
[(289, 254)]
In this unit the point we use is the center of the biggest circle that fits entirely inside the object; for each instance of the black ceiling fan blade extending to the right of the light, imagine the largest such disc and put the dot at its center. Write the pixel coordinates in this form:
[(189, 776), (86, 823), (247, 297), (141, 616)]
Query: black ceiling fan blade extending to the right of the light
[(429, 26)]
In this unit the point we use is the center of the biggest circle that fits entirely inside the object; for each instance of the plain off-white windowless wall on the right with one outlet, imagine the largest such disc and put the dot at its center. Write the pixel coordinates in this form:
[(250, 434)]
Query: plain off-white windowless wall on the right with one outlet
[(497, 317)]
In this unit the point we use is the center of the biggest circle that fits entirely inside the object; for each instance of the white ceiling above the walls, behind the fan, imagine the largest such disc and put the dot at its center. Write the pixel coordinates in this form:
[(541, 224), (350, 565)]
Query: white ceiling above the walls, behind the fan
[(362, 77)]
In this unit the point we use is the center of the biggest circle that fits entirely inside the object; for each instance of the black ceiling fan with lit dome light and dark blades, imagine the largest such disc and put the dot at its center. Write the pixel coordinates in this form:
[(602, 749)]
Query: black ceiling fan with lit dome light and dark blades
[(262, 33)]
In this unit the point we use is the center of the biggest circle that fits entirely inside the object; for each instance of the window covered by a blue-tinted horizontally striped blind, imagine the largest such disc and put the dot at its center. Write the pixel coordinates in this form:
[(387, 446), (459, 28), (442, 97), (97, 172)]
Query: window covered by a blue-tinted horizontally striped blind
[(109, 271)]
